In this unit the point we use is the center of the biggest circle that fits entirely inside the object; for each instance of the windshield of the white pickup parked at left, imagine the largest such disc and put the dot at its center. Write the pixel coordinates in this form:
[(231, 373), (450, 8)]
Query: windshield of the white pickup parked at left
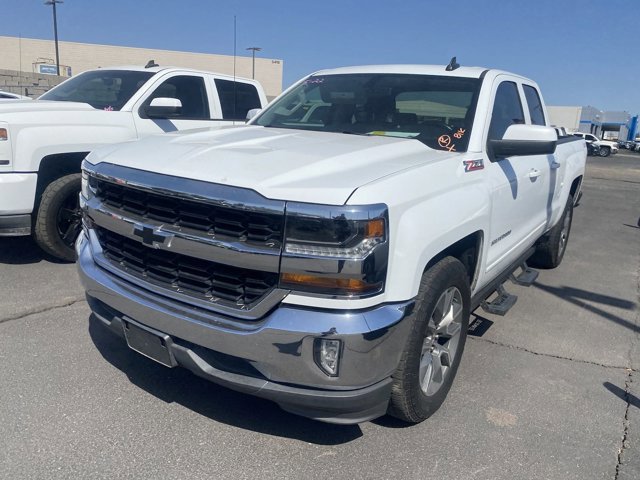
[(102, 89)]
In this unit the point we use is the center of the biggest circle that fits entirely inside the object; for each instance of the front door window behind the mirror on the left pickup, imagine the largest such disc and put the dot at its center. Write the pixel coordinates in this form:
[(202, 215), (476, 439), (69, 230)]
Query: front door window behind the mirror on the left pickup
[(191, 92)]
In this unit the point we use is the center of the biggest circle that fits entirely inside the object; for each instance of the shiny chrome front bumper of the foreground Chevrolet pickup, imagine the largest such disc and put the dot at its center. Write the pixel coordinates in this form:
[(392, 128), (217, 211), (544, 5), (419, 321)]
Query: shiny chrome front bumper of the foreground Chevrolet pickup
[(273, 357)]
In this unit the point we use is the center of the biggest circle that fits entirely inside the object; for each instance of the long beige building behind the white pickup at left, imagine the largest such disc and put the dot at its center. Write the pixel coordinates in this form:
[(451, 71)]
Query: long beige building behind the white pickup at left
[(38, 56)]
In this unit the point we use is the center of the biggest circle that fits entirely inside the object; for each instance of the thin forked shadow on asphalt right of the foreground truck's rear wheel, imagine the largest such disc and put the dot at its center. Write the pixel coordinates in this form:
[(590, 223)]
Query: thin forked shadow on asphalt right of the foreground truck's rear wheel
[(580, 297)]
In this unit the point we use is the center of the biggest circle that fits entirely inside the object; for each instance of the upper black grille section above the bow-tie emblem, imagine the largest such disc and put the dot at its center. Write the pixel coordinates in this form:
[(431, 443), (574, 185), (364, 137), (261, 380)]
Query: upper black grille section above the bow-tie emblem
[(247, 226)]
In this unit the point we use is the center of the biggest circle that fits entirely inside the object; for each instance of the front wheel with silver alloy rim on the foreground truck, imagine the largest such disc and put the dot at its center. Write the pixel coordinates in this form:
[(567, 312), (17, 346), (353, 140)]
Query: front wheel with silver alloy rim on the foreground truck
[(434, 348)]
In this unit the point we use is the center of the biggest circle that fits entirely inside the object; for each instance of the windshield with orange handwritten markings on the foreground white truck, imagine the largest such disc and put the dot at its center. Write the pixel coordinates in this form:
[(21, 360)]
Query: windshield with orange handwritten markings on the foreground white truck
[(437, 110)]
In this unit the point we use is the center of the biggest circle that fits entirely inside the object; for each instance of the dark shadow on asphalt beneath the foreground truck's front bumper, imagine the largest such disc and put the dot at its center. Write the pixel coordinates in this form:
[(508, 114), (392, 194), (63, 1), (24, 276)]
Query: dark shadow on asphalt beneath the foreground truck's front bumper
[(178, 385)]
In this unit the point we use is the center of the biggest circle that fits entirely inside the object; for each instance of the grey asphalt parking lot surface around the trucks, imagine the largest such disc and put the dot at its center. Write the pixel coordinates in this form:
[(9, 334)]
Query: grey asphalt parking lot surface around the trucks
[(552, 390)]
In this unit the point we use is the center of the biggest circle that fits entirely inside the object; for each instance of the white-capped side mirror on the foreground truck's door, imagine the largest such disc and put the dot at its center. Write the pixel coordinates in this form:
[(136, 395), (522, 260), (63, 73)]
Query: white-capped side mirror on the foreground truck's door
[(524, 140)]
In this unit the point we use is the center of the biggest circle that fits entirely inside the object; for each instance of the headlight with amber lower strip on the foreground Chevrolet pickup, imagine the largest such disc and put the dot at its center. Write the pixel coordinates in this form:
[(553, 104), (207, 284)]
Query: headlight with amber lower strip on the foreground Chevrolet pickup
[(337, 251)]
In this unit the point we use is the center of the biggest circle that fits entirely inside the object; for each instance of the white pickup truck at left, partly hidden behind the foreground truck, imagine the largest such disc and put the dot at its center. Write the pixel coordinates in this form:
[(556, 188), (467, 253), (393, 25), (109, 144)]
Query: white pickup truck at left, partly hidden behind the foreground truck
[(42, 143)]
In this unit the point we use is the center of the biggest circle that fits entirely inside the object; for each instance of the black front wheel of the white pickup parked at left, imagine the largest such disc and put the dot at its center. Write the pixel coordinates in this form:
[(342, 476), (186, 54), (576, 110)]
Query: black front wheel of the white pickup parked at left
[(59, 219)]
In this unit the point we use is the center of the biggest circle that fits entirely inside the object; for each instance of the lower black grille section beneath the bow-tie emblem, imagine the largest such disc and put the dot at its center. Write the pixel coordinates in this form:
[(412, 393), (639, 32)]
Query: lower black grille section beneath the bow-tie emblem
[(184, 274)]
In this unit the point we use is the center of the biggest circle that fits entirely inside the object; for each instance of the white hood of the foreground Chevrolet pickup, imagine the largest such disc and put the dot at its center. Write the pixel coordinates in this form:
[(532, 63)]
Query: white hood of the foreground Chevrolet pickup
[(296, 165)]
